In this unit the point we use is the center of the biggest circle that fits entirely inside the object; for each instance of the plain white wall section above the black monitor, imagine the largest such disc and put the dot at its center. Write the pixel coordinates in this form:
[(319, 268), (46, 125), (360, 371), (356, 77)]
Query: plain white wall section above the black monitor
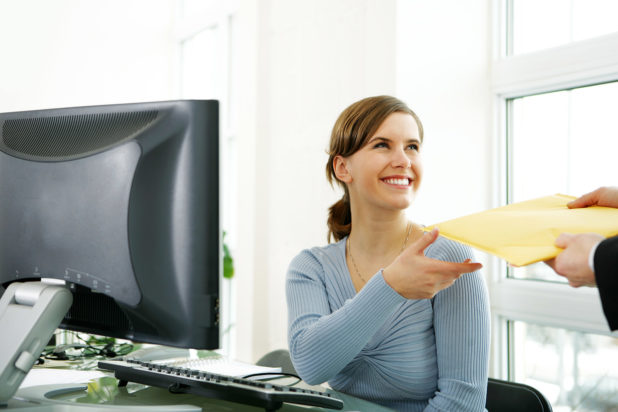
[(70, 52)]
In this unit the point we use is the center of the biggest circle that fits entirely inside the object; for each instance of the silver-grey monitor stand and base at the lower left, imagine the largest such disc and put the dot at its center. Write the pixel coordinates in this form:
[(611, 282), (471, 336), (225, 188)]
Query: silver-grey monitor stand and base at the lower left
[(30, 312)]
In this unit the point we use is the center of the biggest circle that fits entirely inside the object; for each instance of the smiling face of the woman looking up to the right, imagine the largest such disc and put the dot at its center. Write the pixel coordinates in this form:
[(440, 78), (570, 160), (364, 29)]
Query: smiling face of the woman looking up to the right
[(387, 171)]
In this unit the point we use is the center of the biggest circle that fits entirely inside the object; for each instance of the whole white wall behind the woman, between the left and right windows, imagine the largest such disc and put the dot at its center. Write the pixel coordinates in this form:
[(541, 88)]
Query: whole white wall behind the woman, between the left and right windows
[(313, 59)]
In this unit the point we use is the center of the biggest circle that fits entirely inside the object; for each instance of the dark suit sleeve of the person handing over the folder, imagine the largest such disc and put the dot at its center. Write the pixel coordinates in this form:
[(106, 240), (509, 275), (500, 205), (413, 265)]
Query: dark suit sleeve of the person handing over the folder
[(606, 273)]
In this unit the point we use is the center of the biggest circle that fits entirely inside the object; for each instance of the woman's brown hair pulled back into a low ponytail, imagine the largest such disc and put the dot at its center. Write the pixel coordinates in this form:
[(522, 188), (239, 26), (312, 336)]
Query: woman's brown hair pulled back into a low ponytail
[(355, 125)]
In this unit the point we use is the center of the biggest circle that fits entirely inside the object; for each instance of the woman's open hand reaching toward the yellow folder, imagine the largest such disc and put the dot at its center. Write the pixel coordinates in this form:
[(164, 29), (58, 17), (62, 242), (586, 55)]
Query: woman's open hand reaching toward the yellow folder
[(415, 276)]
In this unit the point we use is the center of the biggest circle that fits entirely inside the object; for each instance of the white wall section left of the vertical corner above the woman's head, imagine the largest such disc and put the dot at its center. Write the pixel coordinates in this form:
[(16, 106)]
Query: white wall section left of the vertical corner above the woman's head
[(313, 59)]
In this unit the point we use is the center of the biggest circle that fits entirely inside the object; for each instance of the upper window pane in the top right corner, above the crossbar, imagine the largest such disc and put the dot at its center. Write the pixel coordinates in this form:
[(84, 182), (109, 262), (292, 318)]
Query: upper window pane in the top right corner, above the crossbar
[(542, 24)]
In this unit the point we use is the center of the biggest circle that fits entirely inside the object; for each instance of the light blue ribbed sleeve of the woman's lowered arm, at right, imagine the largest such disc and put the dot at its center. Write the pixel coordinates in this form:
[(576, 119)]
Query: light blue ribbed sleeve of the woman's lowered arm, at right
[(462, 329)]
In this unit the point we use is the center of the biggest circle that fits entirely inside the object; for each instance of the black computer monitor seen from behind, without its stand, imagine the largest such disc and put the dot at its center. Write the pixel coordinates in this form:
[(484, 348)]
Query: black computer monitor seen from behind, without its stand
[(122, 203)]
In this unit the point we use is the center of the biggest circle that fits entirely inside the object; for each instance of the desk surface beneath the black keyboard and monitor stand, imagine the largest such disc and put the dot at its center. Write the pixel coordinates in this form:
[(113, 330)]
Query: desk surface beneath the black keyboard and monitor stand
[(103, 395)]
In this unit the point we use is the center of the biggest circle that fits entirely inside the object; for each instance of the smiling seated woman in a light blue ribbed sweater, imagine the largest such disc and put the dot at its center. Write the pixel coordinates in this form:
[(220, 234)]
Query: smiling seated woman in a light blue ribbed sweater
[(378, 314)]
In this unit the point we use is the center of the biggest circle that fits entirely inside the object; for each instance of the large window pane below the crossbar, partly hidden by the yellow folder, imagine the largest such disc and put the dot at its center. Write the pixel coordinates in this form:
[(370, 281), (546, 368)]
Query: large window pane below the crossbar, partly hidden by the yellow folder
[(562, 142)]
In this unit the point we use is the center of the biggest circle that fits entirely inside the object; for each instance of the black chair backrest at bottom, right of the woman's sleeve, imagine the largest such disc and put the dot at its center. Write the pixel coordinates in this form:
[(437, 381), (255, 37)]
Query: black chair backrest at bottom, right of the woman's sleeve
[(504, 396)]
